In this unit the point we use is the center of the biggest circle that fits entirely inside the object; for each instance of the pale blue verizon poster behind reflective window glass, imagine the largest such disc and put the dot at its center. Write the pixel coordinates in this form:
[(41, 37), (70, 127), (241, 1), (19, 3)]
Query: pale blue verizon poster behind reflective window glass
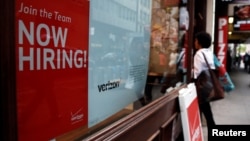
[(118, 54)]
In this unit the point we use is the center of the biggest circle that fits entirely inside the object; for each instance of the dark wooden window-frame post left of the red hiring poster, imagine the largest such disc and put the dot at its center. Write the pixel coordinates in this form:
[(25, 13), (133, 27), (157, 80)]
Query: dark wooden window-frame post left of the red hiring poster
[(8, 121)]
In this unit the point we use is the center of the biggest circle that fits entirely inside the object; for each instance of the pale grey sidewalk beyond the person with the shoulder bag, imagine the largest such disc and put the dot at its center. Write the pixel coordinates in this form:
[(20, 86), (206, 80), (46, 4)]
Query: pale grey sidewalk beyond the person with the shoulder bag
[(234, 109)]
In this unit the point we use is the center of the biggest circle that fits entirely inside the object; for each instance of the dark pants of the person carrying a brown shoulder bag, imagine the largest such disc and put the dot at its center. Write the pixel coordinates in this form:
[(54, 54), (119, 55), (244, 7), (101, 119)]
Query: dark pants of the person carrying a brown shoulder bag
[(205, 108)]
